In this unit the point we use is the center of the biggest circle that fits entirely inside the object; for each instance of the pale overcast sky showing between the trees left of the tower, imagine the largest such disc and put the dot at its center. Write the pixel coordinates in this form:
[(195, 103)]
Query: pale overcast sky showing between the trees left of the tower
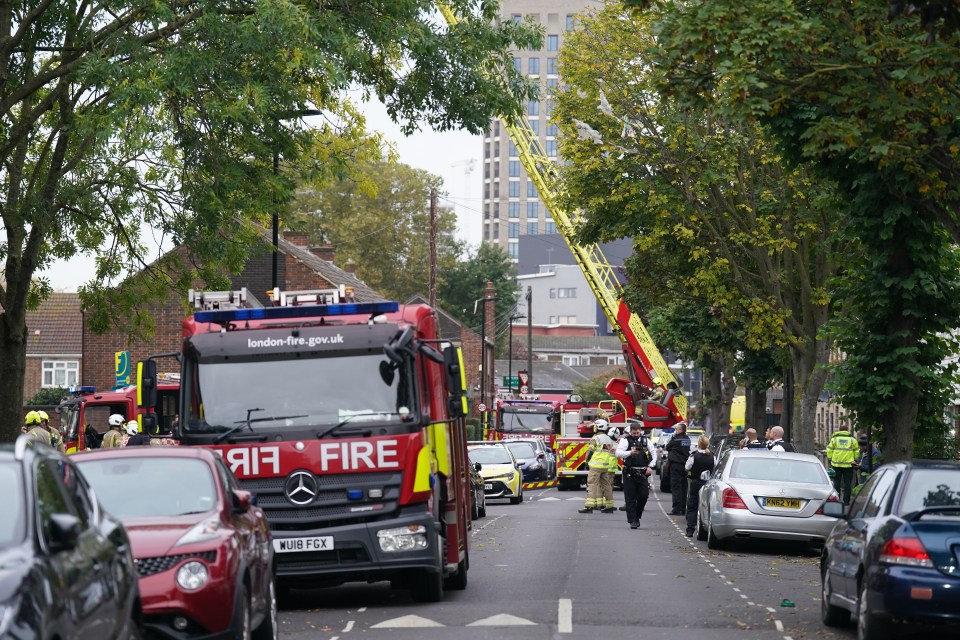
[(447, 155)]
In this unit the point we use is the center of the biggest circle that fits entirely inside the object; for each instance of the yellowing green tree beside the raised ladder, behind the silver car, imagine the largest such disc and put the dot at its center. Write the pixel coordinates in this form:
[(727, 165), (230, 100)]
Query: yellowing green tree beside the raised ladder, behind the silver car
[(717, 213)]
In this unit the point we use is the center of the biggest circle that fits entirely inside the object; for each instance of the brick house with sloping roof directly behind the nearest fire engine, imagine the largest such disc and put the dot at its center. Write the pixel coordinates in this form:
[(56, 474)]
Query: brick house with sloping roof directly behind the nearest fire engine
[(299, 267)]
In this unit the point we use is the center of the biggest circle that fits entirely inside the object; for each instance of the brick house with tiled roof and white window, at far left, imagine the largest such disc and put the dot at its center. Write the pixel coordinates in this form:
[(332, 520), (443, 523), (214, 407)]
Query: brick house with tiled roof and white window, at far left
[(54, 344)]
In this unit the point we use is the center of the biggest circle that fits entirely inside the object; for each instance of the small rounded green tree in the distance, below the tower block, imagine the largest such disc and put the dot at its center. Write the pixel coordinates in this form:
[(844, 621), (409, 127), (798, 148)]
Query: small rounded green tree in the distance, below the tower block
[(466, 282)]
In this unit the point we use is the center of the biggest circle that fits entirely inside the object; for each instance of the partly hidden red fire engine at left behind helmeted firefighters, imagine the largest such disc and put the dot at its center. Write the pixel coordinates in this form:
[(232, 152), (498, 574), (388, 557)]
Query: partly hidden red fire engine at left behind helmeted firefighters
[(87, 406)]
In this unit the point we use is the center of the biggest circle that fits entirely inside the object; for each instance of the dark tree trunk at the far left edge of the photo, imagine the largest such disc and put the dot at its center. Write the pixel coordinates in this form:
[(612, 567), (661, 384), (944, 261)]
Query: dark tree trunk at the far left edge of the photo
[(13, 357)]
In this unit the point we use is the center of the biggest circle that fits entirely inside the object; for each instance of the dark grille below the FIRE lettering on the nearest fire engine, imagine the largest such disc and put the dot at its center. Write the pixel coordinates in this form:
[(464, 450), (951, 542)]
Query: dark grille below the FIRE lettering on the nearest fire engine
[(341, 499)]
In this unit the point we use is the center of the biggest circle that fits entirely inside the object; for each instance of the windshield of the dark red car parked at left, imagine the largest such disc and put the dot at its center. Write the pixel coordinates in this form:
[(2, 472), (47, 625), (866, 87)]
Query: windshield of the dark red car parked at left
[(178, 486)]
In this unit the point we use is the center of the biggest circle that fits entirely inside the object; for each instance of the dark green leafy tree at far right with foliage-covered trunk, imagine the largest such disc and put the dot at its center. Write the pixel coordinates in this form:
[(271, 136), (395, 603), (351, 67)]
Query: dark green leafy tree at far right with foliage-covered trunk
[(872, 102)]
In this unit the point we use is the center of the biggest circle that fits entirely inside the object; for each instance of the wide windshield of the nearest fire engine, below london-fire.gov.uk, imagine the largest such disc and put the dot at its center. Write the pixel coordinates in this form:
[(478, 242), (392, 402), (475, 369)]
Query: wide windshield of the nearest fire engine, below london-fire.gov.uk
[(270, 395)]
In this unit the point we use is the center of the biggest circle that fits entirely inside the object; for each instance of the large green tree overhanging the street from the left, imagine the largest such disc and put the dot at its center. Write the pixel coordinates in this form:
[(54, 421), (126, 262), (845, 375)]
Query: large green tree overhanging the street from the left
[(119, 116)]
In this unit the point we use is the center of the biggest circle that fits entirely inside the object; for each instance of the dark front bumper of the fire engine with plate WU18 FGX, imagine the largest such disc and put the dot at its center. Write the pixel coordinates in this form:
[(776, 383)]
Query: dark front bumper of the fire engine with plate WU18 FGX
[(356, 555)]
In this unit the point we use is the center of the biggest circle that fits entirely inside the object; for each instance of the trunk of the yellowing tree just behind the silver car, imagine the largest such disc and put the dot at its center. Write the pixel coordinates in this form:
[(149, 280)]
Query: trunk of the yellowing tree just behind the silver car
[(809, 377)]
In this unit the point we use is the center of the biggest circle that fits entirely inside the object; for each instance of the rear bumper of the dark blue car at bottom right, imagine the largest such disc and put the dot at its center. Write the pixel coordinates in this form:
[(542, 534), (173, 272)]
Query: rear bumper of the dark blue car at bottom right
[(901, 592)]
